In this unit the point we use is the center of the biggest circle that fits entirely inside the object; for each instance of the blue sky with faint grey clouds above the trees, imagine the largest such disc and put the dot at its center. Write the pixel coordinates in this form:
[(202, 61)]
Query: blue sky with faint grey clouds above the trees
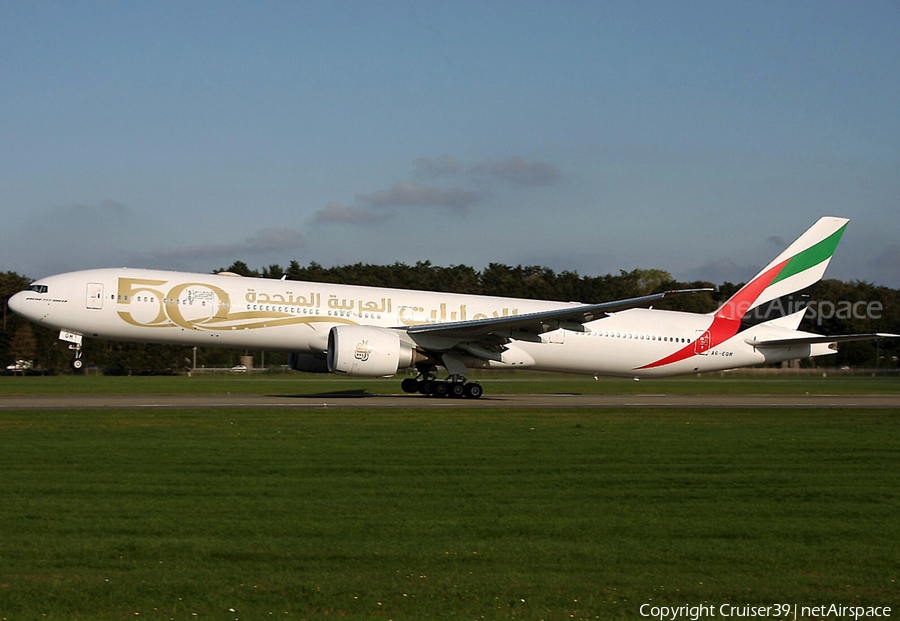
[(693, 137)]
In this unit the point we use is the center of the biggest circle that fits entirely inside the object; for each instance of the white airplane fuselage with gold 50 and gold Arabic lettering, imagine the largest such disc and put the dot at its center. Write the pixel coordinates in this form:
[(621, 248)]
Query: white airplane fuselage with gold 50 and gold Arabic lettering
[(279, 315)]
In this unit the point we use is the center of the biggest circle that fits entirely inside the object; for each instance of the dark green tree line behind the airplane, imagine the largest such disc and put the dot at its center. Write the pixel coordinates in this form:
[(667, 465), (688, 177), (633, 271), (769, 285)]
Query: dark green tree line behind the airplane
[(841, 308)]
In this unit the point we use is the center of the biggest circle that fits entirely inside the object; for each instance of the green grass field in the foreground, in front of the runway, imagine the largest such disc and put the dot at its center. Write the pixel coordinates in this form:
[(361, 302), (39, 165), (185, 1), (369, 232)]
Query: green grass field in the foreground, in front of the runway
[(462, 514)]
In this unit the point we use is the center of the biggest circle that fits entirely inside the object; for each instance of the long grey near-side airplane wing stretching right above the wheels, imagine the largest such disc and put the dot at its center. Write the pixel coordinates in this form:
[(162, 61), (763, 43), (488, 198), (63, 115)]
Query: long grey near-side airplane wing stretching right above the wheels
[(571, 317)]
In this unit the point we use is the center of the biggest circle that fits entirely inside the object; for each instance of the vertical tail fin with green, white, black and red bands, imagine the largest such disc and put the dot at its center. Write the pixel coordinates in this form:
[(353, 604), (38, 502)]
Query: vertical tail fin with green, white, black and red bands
[(780, 292)]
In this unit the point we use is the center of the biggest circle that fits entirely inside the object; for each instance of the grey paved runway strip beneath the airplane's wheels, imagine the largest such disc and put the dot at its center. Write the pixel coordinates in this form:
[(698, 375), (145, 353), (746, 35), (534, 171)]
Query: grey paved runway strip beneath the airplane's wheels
[(362, 400)]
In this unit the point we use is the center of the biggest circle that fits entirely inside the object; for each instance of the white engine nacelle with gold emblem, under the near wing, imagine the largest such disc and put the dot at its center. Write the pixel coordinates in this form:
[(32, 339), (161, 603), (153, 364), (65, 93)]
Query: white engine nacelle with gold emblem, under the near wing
[(367, 351)]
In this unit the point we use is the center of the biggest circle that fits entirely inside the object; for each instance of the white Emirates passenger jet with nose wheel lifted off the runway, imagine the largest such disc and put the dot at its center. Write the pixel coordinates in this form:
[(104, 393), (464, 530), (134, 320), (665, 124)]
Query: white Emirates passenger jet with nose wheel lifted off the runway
[(374, 332)]
